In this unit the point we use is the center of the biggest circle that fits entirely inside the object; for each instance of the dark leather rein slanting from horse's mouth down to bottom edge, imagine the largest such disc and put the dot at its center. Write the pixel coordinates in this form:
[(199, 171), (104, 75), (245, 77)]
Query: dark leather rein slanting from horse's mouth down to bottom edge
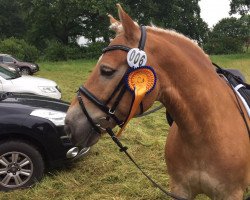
[(124, 149)]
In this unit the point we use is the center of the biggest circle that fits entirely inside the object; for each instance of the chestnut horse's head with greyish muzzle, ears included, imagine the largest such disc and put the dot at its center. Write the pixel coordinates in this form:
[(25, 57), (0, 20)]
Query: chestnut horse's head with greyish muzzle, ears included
[(104, 101)]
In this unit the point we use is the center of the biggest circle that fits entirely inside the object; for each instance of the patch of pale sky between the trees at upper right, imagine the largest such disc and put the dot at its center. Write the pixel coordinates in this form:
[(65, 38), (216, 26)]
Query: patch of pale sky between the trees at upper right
[(212, 11)]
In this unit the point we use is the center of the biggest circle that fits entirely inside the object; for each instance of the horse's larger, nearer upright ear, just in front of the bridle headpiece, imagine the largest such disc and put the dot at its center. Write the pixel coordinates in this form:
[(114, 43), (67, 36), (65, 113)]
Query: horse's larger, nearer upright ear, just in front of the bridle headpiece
[(130, 28)]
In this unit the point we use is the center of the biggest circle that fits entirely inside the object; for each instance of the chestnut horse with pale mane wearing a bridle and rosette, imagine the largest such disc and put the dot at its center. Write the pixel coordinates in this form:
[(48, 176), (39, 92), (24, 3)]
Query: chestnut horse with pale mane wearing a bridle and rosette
[(207, 148)]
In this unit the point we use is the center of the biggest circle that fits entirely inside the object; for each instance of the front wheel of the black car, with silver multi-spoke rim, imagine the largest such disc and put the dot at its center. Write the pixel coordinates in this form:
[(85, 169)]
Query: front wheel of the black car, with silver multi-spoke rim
[(21, 165)]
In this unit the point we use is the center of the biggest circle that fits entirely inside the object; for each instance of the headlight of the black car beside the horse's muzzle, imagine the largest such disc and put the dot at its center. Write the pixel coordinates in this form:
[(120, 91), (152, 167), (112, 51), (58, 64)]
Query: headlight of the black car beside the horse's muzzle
[(55, 117)]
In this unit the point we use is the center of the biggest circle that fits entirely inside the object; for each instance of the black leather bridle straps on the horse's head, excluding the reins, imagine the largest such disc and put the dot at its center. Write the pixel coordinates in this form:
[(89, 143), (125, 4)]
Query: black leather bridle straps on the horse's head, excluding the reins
[(103, 106)]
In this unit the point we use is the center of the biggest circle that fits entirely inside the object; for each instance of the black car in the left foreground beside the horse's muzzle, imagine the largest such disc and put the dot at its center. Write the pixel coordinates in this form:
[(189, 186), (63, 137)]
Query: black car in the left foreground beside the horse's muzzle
[(32, 138)]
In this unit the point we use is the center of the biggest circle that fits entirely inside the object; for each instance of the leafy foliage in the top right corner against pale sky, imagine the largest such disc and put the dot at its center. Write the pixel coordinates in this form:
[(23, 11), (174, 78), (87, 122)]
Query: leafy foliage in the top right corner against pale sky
[(240, 6)]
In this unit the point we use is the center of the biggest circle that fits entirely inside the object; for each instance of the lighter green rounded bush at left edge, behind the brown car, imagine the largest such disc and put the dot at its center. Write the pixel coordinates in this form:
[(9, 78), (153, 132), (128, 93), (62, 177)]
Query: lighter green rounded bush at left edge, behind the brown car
[(20, 49)]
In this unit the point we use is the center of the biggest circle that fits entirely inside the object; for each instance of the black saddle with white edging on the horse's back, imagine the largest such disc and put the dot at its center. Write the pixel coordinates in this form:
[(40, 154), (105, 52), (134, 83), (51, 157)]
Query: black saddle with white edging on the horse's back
[(238, 82)]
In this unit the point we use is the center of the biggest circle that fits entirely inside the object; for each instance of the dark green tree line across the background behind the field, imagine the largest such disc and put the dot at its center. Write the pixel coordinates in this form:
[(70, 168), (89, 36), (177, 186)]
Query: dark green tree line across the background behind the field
[(54, 26)]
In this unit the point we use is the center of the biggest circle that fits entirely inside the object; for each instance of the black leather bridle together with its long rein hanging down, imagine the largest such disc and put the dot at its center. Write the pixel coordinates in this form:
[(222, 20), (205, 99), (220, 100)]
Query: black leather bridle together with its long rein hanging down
[(110, 111)]
